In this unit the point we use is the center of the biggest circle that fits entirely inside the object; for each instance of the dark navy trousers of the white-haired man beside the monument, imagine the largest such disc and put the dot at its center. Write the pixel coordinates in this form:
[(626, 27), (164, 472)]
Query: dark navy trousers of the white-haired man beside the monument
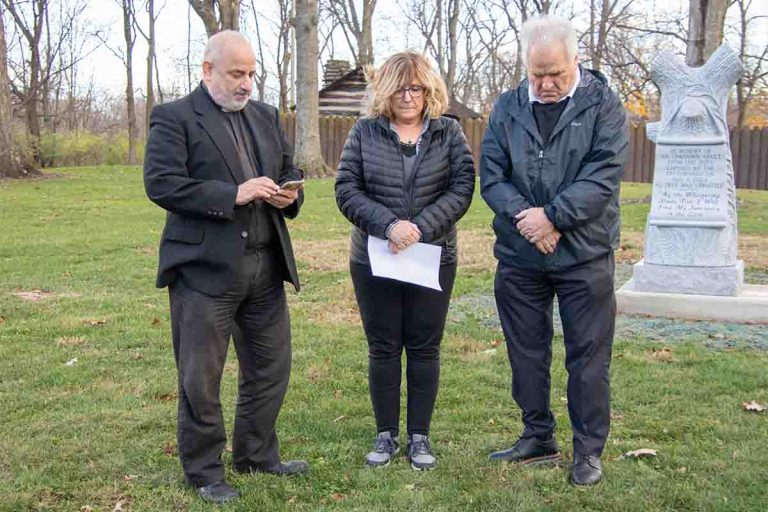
[(588, 312)]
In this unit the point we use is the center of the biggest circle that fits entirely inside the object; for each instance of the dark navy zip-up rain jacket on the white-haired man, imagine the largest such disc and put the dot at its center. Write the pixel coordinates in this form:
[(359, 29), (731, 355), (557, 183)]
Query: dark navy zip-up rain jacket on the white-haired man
[(575, 176)]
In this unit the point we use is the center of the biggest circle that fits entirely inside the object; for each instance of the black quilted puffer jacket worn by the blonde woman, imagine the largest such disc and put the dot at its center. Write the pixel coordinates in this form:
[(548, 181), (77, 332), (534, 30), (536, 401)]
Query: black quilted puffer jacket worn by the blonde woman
[(372, 193)]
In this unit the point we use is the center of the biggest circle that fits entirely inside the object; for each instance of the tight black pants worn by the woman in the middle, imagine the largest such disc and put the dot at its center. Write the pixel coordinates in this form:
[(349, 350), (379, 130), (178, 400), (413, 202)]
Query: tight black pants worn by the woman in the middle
[(399, 315)]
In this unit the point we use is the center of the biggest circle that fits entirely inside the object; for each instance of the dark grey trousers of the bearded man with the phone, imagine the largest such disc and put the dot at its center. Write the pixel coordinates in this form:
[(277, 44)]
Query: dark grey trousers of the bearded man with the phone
[(255, 312)]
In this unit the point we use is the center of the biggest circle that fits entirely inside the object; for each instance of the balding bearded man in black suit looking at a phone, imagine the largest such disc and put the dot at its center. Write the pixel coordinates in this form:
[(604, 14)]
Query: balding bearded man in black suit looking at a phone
[(214, 160)]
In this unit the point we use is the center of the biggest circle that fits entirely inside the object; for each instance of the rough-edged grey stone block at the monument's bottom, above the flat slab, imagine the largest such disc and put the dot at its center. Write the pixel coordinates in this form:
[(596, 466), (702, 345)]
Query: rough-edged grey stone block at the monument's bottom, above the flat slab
[(724, 281)]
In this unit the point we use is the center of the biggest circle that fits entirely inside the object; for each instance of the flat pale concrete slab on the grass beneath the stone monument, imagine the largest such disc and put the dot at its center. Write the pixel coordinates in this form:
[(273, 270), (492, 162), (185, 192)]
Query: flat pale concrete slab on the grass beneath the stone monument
[(751, 306)]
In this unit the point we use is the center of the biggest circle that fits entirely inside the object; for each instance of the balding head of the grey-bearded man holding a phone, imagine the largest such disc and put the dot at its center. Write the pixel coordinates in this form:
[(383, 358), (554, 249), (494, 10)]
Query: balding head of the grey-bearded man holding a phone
[(228, 68)]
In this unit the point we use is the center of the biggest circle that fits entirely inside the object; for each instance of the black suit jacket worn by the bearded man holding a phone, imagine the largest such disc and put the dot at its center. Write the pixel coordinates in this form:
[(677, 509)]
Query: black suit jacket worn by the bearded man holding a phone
[(192, 170)]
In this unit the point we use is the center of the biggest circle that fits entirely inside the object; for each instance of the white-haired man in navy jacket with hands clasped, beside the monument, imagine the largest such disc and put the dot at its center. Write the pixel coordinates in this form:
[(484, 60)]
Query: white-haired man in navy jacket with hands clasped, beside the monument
[(550, 170)]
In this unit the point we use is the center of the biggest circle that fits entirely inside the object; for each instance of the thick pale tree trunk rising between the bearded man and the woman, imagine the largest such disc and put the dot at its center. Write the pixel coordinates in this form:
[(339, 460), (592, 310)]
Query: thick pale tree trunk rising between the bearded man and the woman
[(308, 155)]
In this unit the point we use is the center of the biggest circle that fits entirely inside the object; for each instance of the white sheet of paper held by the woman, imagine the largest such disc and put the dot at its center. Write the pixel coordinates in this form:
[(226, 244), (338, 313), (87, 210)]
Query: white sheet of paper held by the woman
[(419, 264)]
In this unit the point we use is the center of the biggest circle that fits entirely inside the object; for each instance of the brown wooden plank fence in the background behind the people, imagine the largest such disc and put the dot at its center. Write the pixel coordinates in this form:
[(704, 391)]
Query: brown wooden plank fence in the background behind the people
[(749, 147)]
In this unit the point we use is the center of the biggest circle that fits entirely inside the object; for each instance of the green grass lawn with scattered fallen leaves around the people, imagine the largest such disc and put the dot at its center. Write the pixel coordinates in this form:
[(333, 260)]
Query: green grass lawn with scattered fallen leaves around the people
[(88, 383)]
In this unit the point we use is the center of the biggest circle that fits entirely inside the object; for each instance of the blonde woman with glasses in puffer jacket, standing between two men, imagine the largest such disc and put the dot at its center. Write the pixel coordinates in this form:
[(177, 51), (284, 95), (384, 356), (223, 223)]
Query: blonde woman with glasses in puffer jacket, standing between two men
[(406, 174)]
